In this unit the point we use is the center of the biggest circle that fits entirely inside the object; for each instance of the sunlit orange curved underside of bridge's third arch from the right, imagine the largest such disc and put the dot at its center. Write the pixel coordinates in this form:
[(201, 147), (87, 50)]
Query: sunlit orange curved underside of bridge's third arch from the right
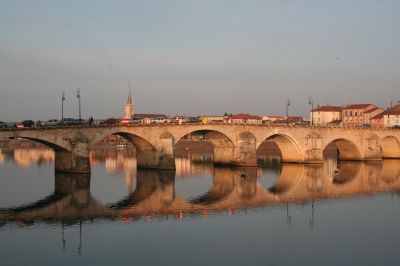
[(290, 150)]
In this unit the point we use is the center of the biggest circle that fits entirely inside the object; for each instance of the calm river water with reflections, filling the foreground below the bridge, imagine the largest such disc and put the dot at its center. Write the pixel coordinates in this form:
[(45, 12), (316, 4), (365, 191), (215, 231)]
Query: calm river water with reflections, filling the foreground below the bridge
[(340, 213)]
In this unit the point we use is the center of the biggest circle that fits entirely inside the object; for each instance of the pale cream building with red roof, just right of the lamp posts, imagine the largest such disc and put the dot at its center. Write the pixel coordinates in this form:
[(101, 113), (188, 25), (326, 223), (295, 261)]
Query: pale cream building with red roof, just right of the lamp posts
[(326, 114)]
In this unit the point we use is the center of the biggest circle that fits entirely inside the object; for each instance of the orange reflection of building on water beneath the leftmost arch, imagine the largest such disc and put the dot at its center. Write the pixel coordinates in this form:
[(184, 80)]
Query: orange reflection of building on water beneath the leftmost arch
[(27, 157)]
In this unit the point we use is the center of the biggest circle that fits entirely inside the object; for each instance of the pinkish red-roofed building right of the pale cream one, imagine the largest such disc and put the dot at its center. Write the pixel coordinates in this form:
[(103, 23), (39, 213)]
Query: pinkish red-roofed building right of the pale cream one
[(359, 114)]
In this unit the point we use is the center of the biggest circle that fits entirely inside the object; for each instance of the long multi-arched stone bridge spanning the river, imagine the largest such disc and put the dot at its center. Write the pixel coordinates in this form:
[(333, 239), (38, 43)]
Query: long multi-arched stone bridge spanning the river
[(234, 145)]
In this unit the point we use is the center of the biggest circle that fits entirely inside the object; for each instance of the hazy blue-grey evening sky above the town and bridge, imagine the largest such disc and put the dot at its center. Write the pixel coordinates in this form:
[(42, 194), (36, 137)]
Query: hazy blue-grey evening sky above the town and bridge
[(195, 57)]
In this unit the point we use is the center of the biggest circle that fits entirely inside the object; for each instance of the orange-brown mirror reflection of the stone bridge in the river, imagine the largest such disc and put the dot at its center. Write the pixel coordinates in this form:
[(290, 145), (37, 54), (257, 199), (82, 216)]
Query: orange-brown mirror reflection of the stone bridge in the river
[(232, 189)]
